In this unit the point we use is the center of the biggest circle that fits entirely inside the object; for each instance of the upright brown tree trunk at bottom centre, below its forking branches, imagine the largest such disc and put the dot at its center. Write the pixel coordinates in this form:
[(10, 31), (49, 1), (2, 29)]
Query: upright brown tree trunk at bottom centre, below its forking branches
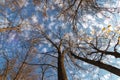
[(61, 69)]
